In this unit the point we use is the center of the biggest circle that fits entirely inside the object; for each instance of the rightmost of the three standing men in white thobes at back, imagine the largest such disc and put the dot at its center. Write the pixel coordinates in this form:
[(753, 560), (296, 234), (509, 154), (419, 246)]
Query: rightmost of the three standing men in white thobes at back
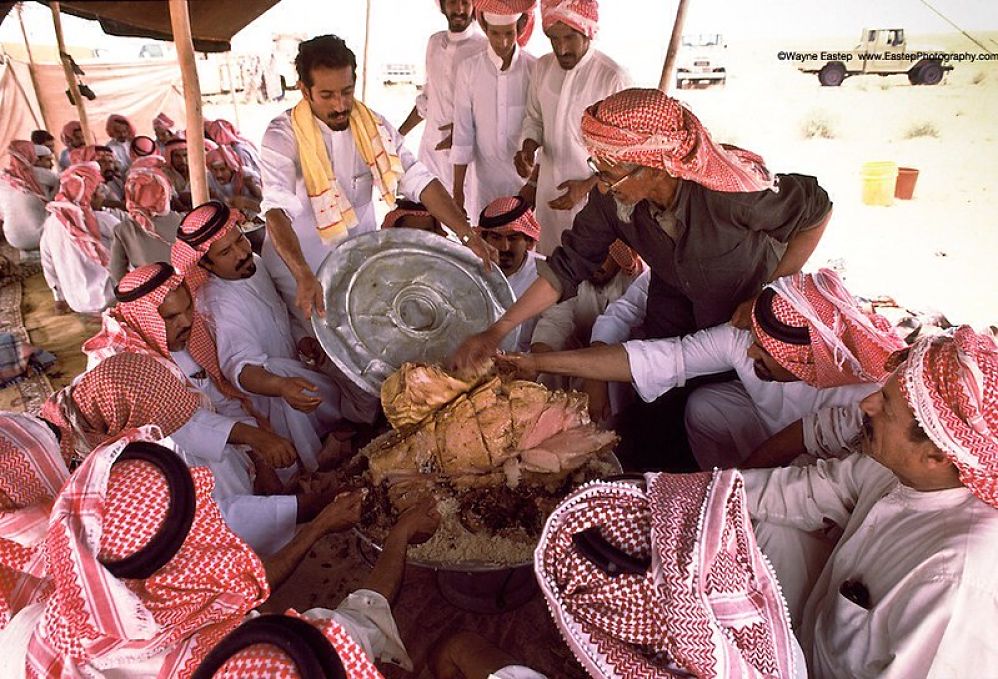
[(574, 76)]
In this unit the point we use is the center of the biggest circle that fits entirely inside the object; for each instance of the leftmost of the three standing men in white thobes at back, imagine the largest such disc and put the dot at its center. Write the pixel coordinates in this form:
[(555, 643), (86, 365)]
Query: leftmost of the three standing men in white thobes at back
[(445, 51)]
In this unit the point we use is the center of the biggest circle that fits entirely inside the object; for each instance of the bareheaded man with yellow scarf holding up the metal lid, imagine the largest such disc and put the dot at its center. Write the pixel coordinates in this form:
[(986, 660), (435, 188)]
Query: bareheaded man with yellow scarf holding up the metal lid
[(323, 161)]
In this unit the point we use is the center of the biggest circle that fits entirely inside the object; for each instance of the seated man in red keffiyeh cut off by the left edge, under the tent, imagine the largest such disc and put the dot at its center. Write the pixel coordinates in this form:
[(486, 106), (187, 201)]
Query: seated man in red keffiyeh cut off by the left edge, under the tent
[(22, 197)]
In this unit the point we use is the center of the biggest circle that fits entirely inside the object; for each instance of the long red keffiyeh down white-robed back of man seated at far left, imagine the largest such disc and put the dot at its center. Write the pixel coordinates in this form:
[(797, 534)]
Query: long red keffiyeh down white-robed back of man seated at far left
[(71, 206)]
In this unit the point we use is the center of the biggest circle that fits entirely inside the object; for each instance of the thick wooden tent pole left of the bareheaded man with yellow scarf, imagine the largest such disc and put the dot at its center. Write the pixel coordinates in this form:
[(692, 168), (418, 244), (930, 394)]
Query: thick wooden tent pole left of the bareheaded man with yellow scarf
[(180, 21)]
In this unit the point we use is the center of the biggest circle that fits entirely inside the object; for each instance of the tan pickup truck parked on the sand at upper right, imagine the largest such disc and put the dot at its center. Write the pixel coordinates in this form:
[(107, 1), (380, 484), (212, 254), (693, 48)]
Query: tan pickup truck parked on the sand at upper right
[(881, 51)]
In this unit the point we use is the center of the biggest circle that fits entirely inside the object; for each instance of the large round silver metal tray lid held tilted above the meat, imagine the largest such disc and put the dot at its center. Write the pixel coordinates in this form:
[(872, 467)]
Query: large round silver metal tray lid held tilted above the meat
[(402, 295)]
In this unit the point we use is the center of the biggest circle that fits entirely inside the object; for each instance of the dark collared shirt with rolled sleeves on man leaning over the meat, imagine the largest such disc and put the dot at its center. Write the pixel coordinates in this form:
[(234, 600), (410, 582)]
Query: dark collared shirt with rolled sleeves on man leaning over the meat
[(722, 248)]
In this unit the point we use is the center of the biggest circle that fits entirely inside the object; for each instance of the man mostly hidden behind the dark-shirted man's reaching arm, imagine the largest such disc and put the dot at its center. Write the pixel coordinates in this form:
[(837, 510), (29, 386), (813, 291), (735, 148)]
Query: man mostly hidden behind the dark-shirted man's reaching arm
[(569, 324)]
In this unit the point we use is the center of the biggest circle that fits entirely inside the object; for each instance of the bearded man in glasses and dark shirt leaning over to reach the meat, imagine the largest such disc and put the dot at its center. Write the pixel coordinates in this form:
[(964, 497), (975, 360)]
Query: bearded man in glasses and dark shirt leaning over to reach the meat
[(711, 222)]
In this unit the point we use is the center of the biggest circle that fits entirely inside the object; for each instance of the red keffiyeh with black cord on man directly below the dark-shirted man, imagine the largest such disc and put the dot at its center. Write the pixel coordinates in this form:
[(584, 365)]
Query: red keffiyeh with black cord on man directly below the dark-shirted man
[(848, 346)]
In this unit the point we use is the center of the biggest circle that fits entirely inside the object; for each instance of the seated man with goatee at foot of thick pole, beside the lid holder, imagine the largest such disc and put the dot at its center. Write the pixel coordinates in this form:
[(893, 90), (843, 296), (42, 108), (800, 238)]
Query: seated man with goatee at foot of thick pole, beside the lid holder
[(256, 348)]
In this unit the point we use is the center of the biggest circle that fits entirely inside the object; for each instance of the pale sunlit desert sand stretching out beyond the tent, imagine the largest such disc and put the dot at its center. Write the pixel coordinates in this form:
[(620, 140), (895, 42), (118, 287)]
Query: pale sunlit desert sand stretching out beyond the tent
[(935, 251)]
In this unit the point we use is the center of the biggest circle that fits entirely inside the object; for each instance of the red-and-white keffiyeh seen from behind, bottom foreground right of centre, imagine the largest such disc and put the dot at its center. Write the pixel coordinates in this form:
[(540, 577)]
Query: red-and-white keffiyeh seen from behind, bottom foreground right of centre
[(709, 604)]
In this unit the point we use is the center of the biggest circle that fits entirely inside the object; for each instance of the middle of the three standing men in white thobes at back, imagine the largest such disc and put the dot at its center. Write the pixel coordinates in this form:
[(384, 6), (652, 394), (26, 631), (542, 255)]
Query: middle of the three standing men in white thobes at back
[(489, 104)]
